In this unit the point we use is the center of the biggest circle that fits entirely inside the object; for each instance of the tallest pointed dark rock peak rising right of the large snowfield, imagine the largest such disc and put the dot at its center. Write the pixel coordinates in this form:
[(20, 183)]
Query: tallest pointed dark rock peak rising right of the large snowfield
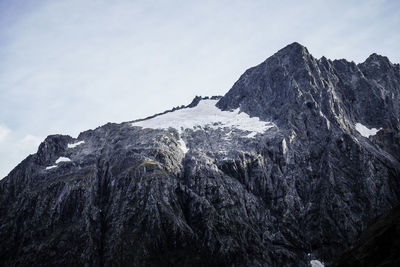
[(286, 82)]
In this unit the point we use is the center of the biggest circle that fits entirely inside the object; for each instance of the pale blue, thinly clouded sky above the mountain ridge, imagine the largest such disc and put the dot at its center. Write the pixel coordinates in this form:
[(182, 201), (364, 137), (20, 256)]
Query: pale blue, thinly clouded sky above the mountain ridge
[(72, 65)]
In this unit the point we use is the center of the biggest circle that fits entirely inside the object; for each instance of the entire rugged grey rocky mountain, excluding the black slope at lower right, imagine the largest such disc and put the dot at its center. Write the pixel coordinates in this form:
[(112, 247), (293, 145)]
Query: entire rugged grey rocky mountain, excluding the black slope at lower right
[(277, 175)]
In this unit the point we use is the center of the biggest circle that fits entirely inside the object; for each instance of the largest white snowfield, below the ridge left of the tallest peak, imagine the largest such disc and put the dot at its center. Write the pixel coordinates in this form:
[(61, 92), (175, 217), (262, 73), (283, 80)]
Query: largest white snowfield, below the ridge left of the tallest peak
[(206, 114)]
